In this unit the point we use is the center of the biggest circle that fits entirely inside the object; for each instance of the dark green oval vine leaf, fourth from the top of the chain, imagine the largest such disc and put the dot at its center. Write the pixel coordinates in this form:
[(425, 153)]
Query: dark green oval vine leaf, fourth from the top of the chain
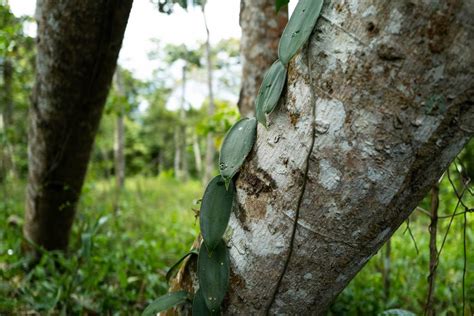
[(215, 211)]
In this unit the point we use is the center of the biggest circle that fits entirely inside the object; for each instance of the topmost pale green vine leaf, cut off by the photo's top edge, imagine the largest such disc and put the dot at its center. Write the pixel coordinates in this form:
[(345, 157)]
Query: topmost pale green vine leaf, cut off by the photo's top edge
[(299, 28)]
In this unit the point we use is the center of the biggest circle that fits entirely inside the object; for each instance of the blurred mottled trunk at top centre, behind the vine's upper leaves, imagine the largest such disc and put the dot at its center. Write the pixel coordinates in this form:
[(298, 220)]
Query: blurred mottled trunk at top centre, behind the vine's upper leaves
[(261, 32)]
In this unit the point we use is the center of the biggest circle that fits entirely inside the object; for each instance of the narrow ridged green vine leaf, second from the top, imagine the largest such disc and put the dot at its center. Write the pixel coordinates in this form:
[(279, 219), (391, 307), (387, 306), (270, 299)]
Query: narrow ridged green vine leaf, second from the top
[(270, 91)]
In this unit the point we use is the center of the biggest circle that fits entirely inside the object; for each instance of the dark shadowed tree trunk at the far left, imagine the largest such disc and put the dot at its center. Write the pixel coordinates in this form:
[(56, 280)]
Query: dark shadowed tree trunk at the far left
[(78, 44)]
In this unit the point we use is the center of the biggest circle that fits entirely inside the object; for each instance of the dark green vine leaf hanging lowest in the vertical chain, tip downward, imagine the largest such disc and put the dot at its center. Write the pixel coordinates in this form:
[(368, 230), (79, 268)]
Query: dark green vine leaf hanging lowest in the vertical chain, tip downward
[(213, 274)]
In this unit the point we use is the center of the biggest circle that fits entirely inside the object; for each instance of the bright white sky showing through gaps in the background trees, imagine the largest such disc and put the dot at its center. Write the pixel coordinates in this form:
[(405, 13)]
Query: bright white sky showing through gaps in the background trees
[(146, 24)]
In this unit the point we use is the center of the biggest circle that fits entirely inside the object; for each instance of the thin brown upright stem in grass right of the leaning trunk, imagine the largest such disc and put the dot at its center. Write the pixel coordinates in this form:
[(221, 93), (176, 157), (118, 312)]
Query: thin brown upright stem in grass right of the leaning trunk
[(430, 308)]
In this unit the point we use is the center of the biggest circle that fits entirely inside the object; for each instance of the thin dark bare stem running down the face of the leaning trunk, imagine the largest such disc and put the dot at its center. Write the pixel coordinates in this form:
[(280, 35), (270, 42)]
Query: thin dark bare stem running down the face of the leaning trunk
[(303, 189)]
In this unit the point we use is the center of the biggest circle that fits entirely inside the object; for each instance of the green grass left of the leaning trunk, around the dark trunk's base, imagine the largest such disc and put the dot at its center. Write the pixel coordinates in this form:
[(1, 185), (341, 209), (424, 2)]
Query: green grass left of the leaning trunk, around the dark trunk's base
[(116, 262)]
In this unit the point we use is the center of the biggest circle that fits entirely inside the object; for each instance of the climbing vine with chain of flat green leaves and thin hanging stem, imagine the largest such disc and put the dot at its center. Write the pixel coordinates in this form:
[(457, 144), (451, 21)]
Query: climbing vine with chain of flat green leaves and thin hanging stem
[(213, 268)]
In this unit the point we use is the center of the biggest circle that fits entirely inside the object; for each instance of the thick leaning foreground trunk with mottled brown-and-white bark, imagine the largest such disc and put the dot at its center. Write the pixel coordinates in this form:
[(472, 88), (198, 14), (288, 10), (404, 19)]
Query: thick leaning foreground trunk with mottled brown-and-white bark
[(392, 90)]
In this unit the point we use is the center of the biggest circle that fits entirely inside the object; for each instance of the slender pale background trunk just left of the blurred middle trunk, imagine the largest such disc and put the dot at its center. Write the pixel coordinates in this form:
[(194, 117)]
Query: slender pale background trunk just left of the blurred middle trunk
[(210, 149)]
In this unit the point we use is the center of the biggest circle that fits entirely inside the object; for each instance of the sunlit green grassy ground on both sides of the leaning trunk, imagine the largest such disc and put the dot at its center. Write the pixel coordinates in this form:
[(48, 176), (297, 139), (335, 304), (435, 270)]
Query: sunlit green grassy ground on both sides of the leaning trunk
[(117, 262)]
